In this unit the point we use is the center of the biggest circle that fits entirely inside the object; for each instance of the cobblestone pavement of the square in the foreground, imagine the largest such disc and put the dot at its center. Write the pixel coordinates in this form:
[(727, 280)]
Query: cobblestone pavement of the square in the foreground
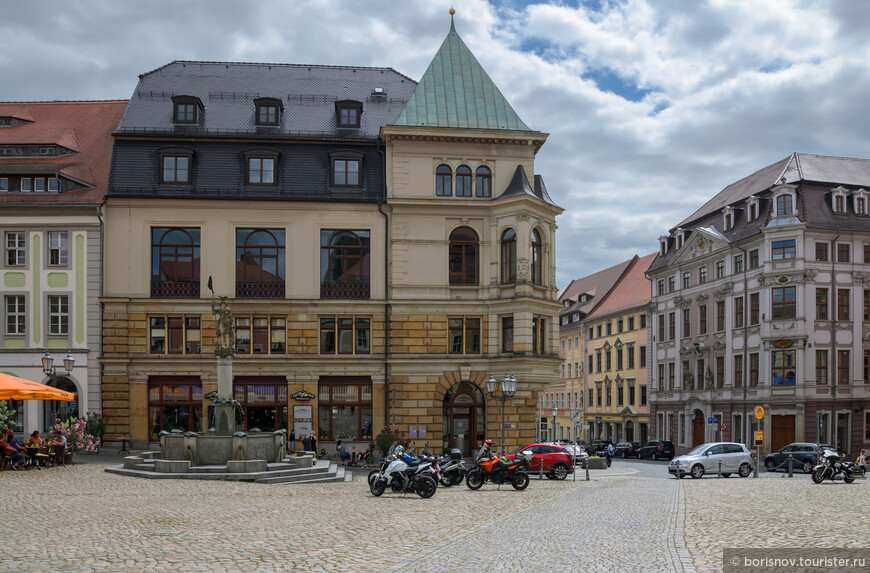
[(80, 518)]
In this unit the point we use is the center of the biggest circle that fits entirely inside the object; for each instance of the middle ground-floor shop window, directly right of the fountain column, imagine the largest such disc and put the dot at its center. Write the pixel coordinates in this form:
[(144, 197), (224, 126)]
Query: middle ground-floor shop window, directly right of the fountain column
[(263, 400)]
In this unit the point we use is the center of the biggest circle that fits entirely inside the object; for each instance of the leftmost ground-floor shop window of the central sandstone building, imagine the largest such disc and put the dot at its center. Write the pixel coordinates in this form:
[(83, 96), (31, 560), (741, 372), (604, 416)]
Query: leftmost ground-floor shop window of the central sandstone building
[(174, 403)]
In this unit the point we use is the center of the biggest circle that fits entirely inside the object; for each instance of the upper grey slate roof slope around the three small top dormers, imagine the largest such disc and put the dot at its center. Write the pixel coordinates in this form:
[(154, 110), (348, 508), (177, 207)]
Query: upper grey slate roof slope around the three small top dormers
[(228, 90)]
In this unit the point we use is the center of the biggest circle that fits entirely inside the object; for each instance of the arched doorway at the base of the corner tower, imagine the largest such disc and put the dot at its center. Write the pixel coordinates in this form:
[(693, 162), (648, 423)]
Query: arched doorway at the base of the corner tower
[(463, 417)]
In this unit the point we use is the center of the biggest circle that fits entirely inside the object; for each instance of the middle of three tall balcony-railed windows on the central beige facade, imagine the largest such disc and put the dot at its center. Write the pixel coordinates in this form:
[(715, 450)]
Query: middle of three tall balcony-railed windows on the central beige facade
[(260, 263)]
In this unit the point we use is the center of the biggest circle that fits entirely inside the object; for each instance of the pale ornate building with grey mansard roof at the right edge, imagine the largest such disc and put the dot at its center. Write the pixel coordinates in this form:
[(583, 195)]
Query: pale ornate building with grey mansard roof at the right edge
[(760, 297)]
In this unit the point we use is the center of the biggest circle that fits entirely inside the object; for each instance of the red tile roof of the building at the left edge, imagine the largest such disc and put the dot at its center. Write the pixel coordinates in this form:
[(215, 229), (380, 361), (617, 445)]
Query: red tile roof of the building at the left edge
[(84, 126)]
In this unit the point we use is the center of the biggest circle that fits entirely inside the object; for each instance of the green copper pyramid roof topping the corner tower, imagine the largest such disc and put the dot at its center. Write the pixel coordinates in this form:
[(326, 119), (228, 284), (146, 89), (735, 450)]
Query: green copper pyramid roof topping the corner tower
[(455, 91)]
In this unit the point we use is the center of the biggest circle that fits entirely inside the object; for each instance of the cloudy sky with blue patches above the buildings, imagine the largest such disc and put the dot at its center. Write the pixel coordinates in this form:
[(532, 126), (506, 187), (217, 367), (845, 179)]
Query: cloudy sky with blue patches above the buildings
[(652, 106)]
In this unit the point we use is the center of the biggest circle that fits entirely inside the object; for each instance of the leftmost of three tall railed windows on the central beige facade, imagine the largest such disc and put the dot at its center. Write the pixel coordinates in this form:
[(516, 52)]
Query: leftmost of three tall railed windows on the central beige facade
[(175, 261)]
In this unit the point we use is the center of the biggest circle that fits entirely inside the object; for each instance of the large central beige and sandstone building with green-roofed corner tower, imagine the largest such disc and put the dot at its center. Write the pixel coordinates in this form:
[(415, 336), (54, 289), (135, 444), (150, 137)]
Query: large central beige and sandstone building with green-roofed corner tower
[(384, 246)]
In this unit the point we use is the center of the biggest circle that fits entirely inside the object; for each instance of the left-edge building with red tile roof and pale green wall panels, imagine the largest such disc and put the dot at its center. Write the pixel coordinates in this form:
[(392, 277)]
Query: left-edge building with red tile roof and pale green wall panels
[(54, 169)]
